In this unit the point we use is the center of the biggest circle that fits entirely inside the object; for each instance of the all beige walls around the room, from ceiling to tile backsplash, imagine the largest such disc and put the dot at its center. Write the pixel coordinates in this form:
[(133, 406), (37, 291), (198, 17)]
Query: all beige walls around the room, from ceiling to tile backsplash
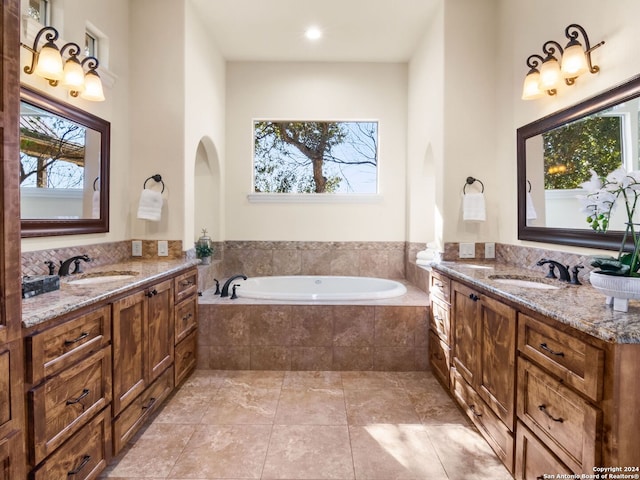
[(451, 112)]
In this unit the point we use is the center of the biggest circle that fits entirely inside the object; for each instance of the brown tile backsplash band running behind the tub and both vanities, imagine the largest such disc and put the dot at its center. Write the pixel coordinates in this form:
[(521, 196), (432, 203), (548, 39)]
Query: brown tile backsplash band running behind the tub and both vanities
[(256, 258)]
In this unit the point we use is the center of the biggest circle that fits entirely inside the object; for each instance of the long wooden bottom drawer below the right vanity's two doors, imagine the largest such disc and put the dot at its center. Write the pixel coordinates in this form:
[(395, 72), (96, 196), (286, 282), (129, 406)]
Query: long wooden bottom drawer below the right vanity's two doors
[(490, 426)]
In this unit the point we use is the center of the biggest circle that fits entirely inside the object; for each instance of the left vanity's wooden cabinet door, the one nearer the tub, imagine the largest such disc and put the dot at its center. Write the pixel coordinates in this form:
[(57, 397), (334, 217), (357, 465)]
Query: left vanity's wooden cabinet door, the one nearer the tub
[(160, 331)]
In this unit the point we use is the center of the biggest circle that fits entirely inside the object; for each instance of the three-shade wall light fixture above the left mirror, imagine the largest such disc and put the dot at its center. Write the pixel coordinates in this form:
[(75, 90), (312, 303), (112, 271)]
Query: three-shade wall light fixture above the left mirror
[(47, 63)]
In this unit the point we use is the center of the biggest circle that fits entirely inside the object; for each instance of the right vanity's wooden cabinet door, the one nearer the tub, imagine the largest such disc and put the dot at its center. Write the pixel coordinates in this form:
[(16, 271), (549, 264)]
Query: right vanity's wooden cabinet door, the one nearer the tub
[(464, 304)]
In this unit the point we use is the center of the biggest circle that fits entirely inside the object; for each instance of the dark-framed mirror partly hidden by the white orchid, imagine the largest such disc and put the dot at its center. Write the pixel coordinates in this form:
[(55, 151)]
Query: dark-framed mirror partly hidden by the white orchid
[(557, 153)]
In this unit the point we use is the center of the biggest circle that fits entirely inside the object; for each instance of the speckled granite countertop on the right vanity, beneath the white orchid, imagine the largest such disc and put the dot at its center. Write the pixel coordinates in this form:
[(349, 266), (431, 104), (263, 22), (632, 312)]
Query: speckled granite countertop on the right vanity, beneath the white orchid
[(580, 306)]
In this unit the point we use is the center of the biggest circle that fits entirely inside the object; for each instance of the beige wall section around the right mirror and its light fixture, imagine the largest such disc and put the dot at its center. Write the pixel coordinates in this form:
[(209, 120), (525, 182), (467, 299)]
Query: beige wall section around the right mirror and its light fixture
[(524, 26)]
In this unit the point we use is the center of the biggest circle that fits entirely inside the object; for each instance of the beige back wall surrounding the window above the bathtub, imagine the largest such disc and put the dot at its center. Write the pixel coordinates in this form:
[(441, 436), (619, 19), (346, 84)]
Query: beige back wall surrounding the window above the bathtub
[(320, 91)]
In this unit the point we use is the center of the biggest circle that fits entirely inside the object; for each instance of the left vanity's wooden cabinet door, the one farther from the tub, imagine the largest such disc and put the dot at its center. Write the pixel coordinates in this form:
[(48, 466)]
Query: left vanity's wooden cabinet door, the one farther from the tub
[(129, 361)]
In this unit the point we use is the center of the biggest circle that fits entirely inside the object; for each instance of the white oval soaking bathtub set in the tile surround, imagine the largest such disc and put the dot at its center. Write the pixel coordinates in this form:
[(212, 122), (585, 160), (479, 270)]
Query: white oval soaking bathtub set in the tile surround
[(319, 288)]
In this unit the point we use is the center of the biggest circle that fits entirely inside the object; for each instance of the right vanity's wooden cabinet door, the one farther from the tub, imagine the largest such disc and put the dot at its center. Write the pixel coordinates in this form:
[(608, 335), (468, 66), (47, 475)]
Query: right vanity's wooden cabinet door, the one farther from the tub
[(496, 349)]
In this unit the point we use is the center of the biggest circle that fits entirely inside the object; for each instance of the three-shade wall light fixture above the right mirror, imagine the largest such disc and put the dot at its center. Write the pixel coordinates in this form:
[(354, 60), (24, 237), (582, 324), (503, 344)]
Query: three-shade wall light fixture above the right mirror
[(547, 73)]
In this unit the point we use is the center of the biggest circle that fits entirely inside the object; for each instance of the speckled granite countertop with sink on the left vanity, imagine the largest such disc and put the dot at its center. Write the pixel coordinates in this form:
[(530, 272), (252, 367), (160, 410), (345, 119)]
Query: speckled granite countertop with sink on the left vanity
[(47, 306)]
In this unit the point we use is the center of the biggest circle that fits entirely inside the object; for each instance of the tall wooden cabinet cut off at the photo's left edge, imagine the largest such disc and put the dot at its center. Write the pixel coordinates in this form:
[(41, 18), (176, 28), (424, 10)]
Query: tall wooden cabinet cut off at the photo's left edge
[(12, 440)]
